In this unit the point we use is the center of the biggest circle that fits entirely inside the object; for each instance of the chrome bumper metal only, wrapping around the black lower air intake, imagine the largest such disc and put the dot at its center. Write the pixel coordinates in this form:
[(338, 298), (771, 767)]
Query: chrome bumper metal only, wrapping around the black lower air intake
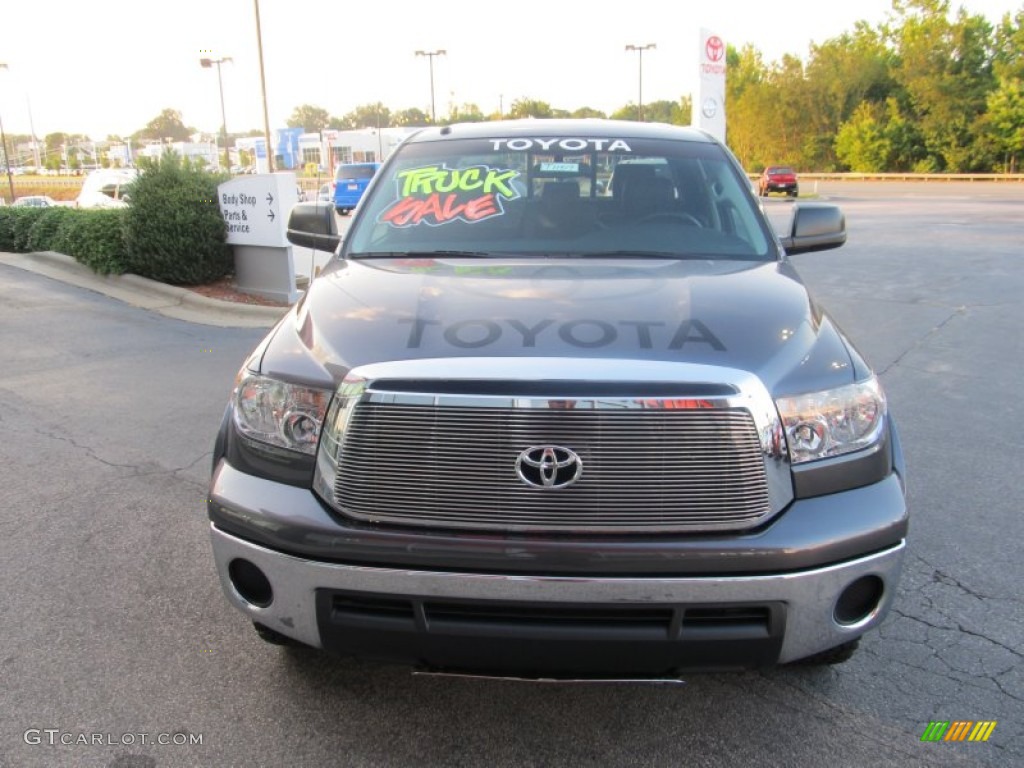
[(809, 595)]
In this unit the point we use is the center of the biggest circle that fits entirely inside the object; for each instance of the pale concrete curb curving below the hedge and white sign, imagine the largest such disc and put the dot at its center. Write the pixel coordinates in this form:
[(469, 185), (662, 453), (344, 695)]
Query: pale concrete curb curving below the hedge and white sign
[(172, 302)]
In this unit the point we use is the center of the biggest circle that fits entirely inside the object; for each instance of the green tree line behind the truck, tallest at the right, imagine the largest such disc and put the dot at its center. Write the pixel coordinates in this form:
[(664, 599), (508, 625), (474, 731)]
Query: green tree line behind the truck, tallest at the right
[(928, 91)]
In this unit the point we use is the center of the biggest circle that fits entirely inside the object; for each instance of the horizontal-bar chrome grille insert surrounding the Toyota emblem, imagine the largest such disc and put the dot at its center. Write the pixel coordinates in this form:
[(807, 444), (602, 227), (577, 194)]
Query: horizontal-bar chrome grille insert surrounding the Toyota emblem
[(452, 466)]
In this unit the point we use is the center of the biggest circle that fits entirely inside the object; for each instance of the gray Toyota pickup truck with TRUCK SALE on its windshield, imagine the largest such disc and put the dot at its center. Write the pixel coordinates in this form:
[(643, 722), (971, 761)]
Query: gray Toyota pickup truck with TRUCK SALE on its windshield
[(561, 407)]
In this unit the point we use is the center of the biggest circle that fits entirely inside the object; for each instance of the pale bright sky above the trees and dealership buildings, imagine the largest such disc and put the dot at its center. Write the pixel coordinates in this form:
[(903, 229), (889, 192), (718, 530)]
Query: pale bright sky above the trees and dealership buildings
[(109, 67)]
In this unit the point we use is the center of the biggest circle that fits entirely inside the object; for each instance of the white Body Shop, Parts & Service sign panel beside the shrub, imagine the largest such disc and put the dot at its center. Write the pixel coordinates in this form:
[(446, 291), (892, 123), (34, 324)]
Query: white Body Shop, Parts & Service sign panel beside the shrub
[(255, 208)]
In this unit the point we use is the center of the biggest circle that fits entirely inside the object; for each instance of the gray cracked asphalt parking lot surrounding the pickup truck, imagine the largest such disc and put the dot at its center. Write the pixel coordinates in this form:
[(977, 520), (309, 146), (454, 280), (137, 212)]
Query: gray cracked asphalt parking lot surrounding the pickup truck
[(114, 628)]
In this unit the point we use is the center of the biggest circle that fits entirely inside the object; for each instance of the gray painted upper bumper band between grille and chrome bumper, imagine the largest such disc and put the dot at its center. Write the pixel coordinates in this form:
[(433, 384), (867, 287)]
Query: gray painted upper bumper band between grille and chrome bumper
[(813, 533)]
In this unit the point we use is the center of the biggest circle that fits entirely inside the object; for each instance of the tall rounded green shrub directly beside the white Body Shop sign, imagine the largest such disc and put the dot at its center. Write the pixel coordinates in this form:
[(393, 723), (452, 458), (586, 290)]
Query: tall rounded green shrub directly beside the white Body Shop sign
[(175, 232)]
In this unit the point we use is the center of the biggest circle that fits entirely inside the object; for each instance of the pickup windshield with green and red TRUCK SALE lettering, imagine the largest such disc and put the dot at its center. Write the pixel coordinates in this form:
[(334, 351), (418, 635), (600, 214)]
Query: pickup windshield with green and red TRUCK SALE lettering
[(575, 197)]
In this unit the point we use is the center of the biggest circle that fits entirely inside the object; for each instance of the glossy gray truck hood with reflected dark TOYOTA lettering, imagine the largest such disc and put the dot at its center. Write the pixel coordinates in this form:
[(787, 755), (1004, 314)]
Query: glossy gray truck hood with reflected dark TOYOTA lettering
[(752, 317)]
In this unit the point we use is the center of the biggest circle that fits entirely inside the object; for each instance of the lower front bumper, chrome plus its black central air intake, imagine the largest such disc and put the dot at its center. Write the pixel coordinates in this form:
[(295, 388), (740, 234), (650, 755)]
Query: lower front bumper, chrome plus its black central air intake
[(380, 613)]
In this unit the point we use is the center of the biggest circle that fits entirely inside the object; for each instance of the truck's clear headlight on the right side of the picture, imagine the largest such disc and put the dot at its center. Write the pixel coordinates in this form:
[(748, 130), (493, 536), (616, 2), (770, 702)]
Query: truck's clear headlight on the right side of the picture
[(834, 422)]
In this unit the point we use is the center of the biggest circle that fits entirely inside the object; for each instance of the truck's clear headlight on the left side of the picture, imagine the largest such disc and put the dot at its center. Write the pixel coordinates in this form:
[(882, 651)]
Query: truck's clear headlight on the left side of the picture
[(277, 413)]
